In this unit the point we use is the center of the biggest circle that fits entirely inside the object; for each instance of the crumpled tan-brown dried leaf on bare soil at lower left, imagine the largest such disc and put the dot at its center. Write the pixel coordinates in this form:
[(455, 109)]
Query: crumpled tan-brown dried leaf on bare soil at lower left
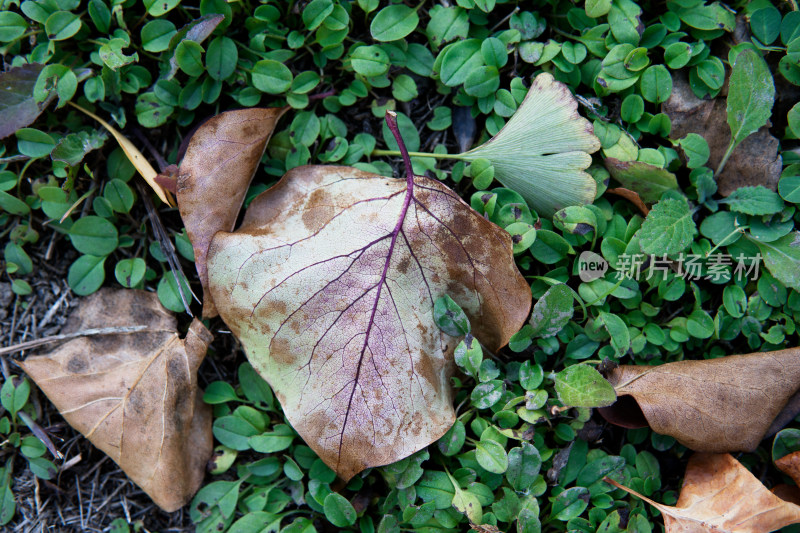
[(135, 395)]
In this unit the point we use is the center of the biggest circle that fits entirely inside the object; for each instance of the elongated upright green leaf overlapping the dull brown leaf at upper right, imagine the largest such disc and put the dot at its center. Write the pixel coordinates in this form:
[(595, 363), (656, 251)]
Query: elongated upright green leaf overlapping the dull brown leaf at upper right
[(751, 94)]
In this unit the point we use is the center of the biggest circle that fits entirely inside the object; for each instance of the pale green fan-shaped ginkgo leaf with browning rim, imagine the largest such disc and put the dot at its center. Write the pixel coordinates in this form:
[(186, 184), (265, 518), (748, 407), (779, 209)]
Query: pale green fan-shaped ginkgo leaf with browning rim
[(543, 150)]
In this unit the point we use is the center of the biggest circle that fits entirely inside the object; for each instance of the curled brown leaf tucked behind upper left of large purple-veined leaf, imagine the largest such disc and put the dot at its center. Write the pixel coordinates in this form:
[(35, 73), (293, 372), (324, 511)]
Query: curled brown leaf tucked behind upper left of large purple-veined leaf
[(220, 161)]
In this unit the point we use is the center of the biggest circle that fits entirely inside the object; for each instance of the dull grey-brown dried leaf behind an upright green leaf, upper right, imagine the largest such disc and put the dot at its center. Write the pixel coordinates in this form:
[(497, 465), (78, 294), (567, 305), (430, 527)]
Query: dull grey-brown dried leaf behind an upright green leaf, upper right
[(754, 162)]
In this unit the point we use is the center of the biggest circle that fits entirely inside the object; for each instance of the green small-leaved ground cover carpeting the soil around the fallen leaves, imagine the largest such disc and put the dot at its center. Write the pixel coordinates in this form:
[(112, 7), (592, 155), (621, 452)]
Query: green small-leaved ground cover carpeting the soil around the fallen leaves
[(691, 219)]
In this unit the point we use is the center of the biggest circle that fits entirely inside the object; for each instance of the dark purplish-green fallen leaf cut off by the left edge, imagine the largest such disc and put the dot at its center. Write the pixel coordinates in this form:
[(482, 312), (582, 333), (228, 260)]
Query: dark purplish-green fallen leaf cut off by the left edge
[(17, 104)]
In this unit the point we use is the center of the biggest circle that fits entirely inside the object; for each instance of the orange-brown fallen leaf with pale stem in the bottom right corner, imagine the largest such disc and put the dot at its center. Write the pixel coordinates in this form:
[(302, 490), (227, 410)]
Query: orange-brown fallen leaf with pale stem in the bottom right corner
[(719, 495)]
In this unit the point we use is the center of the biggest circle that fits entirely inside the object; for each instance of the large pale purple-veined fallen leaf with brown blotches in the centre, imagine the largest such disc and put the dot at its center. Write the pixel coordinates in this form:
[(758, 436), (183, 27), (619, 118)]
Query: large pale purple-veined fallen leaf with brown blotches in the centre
[(330, 284)]
